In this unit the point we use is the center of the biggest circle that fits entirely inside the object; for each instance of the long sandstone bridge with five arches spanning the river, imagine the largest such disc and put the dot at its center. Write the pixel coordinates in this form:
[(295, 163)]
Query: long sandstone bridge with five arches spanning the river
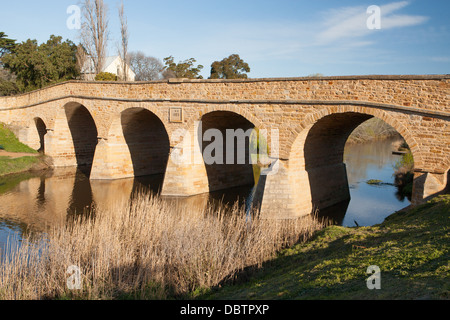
[(123, 130)]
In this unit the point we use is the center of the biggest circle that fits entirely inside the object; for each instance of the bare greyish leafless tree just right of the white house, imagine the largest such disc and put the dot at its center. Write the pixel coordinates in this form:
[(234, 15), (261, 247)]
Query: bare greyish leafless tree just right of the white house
[(145, 67)]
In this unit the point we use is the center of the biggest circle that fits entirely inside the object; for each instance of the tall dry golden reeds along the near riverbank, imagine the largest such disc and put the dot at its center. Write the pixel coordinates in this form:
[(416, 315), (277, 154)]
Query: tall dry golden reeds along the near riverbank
[(145, 249)]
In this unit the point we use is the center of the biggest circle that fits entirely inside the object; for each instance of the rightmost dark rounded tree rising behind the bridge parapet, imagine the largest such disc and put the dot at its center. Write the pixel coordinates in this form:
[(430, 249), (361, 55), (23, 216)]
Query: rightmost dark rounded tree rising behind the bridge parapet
[(232, 67)]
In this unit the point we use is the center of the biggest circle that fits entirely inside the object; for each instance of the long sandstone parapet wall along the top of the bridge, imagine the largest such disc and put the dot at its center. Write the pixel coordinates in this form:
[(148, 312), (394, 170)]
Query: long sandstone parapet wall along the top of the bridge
[(425, 92)]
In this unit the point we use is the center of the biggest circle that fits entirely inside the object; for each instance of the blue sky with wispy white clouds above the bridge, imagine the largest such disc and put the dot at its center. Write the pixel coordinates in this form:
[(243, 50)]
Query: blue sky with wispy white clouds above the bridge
[(278, 38)]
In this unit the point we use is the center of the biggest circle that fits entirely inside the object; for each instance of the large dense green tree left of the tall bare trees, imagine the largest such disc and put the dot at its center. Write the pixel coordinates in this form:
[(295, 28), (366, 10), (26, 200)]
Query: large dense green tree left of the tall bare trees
[(36, 66)]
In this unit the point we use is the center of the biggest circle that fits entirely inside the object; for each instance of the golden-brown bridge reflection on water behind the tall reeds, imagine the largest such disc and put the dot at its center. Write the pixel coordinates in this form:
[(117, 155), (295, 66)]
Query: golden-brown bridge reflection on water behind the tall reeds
[(49, 199)]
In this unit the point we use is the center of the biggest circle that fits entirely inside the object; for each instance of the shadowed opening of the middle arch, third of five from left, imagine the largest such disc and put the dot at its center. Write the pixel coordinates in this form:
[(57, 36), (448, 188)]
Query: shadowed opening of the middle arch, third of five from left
[(147, 140)]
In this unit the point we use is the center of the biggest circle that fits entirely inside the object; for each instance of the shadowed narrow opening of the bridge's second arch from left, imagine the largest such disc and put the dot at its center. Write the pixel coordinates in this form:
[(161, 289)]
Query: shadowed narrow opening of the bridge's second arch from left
[(84, 134)]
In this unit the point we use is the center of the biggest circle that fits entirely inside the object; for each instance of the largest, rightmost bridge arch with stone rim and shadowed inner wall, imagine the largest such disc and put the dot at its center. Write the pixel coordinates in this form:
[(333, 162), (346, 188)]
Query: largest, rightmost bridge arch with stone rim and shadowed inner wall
[(316, 160)]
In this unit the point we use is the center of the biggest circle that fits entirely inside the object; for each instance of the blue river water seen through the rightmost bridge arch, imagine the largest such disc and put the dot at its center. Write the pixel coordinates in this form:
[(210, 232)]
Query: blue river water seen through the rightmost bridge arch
[(370, 204)]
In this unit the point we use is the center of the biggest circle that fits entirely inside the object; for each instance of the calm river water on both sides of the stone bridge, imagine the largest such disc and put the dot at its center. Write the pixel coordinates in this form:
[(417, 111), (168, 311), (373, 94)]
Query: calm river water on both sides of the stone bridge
[(30, 203)]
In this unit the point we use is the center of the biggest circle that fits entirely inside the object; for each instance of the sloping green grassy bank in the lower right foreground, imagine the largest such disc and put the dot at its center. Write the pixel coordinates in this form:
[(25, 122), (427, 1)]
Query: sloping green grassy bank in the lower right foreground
[(411, 249)]
